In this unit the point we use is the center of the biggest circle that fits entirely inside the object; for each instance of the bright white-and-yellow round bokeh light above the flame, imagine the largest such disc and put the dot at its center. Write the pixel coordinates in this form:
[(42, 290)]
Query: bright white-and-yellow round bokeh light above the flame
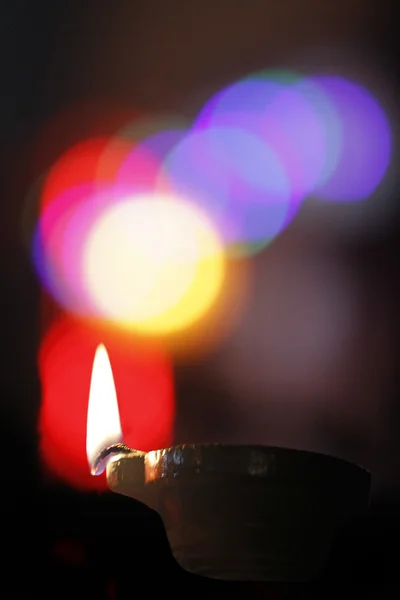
[(153, 264)]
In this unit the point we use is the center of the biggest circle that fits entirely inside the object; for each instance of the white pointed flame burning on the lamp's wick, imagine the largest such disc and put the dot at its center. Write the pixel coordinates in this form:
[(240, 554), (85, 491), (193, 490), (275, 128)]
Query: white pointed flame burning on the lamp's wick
[(103, 421)]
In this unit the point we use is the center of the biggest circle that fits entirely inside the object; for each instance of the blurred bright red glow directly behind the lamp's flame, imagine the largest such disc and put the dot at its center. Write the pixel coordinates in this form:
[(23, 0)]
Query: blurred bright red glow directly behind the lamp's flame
[(144, 383)]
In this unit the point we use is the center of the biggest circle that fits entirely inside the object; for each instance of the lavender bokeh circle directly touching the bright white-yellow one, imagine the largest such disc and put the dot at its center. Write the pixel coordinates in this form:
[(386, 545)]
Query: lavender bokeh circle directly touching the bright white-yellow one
[(237, 179)]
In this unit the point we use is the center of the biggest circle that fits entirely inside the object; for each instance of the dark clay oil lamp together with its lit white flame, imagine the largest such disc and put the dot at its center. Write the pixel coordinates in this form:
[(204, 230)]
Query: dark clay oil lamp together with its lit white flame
[(232, 512)]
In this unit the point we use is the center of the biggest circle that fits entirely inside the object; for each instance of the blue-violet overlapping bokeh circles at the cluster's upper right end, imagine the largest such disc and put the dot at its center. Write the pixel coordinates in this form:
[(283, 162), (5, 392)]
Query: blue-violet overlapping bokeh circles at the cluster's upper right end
[(331, 135)]
